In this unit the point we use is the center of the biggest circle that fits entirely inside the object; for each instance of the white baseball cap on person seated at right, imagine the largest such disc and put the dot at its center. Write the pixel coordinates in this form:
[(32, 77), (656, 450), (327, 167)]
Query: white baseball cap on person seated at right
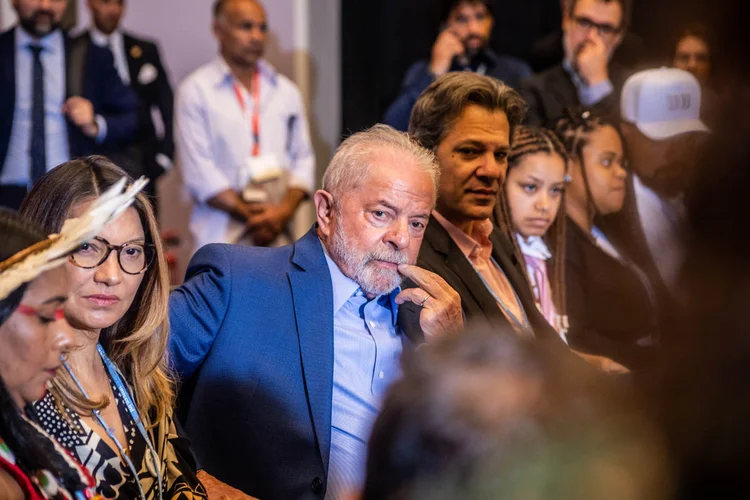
[(662, 103)]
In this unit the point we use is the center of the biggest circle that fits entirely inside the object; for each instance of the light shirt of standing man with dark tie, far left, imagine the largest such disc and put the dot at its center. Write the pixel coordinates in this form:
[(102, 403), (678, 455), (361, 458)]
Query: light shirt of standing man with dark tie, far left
[(17, 167)]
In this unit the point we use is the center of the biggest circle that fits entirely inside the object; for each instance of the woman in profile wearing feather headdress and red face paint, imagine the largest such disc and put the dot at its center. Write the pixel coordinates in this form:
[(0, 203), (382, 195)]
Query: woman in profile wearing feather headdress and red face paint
[(34, 336)]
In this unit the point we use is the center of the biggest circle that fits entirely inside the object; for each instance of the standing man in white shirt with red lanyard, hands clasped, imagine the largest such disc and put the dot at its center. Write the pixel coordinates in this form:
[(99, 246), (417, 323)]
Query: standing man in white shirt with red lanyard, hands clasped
[(242, 137)]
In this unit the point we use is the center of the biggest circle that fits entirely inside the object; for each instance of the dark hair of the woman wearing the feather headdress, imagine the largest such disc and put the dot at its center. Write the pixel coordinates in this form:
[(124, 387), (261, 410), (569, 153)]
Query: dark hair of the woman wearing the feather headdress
[(33, 451)]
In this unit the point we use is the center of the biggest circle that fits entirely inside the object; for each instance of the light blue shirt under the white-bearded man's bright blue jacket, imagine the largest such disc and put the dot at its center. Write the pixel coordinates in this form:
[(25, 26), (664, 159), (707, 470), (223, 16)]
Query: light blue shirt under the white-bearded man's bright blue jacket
[(367, 346)]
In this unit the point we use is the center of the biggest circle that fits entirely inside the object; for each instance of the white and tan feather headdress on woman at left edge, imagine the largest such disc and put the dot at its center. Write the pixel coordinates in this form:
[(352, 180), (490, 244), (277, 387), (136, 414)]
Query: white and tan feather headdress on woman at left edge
[(29, 263)]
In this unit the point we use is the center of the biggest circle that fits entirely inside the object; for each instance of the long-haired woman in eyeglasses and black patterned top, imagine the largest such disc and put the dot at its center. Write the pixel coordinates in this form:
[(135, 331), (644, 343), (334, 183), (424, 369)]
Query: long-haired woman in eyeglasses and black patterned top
[(111, 407)]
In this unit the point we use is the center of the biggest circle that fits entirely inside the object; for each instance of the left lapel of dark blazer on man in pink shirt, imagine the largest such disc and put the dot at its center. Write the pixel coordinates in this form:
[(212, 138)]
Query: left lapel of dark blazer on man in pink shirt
[(457, 262)]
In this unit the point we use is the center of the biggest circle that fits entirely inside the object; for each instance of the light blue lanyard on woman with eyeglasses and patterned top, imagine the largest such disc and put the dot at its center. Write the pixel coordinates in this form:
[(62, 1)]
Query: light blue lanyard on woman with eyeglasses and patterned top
[(125, 395)]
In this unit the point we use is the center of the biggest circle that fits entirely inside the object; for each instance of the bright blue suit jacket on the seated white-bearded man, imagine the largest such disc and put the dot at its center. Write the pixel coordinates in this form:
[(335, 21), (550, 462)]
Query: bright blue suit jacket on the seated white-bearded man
[(252, 341)]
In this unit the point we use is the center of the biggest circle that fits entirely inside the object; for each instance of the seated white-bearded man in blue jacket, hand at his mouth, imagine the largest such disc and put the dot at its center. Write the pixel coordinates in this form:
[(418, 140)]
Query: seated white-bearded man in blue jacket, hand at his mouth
[(285, 353)]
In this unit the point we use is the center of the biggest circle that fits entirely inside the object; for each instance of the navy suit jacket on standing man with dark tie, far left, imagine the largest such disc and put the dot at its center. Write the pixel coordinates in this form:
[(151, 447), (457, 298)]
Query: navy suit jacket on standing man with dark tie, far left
[(101, 85)]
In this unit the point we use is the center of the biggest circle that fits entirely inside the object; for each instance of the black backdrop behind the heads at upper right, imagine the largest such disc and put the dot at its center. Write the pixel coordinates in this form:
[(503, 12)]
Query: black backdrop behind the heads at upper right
[(381, 38)]
